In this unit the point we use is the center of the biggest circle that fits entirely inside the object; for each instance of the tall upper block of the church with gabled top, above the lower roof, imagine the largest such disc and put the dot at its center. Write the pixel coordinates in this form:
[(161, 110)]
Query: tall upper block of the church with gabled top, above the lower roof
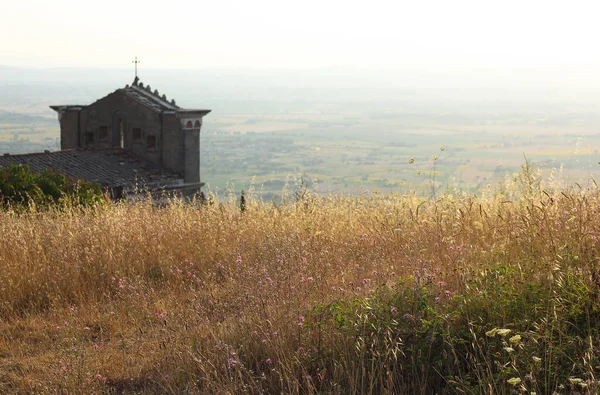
[(140, 121)]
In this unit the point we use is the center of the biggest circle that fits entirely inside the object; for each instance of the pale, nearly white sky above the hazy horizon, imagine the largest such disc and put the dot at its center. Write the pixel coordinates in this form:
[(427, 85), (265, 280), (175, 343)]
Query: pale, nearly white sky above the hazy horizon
[(276, 34)]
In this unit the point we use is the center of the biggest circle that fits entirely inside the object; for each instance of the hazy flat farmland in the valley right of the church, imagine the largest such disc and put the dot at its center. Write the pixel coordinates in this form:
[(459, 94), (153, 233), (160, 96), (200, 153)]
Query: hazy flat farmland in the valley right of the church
[(335, 154)]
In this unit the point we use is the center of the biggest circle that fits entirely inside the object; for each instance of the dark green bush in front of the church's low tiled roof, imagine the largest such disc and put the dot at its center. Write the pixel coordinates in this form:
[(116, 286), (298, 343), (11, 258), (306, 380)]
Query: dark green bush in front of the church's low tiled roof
[(20, 188)]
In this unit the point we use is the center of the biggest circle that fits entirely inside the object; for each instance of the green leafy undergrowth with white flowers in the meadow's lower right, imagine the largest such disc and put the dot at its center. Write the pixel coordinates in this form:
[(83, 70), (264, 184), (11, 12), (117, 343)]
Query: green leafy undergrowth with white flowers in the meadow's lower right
[(531, 337)]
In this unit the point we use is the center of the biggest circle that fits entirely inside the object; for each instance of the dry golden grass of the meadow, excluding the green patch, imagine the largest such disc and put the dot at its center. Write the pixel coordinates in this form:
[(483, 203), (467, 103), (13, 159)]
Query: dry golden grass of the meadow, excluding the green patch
[(205, 299)]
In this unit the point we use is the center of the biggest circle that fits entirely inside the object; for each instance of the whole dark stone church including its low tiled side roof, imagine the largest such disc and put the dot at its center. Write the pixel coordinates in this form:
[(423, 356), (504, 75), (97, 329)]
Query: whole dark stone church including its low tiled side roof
[(134, 138)]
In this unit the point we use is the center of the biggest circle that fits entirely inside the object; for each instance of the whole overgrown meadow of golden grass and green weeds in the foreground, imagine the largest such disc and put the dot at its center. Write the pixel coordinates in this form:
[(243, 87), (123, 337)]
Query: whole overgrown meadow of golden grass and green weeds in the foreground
[(495, 293)]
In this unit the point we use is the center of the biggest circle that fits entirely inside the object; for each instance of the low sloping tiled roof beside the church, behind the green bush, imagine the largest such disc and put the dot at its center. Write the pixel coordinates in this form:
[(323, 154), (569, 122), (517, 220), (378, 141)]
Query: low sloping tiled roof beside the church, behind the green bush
[(112, 167)]
